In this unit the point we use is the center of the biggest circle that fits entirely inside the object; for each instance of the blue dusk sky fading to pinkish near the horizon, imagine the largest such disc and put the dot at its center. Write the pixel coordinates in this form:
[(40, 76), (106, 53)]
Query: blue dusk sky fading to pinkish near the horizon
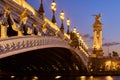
[(81, 14)]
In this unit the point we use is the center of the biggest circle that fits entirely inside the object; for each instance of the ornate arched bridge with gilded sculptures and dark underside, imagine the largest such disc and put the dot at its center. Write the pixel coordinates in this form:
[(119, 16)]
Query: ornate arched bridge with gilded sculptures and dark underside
[(31, 44)]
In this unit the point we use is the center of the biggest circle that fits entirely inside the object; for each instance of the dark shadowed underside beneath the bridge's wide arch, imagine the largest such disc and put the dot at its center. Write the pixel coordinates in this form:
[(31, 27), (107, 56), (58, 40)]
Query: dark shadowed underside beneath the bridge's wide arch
[(47, 61)]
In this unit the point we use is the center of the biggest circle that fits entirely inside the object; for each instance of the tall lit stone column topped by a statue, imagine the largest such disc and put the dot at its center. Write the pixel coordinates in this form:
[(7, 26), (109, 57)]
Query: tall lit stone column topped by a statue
[(97, 36)]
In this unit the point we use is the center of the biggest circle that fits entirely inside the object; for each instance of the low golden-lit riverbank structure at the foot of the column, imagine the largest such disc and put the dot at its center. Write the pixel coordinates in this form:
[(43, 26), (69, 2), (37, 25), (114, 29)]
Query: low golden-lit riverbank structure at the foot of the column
[(105, 65)]
